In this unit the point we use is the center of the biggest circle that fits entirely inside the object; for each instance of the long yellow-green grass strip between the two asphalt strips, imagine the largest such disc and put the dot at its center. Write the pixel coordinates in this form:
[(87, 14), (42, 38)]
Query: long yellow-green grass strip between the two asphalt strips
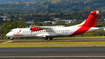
[(54, 44)]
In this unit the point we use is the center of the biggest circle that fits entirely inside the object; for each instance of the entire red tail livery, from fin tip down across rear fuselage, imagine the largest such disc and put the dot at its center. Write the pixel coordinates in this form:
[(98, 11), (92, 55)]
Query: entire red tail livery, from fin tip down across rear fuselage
[(87, 24)]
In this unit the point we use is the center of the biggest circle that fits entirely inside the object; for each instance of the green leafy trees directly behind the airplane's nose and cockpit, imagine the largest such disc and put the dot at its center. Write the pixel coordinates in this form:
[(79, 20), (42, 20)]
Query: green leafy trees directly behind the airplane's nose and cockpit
[(6, 27)]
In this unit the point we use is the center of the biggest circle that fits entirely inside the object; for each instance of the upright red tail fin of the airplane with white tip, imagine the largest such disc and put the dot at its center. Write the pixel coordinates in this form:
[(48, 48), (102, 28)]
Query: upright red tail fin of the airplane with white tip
[(91, 20)]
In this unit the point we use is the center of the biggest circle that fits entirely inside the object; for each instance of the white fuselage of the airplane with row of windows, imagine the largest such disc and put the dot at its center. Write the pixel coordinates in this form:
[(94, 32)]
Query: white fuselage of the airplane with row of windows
[(53, 32)]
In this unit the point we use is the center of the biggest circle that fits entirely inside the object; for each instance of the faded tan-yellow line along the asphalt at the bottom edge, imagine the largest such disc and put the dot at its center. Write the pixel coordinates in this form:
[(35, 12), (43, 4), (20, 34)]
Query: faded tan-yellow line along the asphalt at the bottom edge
[(48, 56)]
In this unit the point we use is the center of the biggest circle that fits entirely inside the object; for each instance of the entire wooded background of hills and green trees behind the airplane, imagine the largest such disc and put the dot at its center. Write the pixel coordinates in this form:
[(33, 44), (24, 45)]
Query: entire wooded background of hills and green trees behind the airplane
[(65, 9)]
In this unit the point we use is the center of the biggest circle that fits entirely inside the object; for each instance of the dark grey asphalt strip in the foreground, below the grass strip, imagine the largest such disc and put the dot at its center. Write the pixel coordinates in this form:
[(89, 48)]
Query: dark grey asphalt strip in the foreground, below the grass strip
[(53, 52)]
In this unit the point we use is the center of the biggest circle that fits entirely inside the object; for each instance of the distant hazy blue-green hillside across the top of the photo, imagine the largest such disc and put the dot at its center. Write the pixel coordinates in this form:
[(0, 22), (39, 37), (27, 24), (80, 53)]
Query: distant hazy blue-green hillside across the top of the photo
[(54, 4)]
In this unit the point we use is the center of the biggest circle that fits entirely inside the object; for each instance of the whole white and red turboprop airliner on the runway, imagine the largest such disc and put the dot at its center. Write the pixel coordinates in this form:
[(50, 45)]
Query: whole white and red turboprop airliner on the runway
[(49, 32)]
